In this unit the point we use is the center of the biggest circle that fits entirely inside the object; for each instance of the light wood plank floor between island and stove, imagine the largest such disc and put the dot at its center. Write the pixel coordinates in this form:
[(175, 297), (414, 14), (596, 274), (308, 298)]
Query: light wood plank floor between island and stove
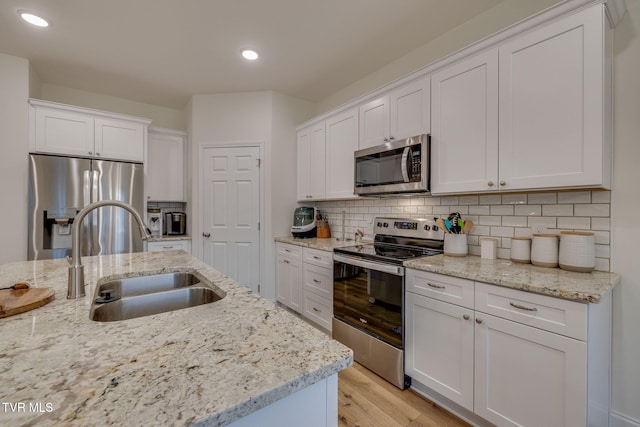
[(366, 400)]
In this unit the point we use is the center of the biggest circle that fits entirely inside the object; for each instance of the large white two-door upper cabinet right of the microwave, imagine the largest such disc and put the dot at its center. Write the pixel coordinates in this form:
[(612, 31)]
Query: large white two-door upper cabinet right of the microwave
[(538, 120)]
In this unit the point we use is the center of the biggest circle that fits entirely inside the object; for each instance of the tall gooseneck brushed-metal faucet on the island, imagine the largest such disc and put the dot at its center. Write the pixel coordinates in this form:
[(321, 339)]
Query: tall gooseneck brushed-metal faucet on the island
[(76, 269)]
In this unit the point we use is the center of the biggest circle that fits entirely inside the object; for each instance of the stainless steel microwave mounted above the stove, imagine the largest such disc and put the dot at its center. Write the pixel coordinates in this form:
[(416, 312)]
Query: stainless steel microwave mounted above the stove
[(395, 167)]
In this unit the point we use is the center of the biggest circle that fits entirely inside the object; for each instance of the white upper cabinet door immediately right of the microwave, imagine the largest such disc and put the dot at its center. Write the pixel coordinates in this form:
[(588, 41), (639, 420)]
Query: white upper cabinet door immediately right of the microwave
[(464, 127)]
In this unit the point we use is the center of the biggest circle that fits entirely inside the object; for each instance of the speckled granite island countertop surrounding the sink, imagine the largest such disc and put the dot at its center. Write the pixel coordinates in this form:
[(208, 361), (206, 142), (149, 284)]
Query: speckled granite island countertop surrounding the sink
[(210, 364)]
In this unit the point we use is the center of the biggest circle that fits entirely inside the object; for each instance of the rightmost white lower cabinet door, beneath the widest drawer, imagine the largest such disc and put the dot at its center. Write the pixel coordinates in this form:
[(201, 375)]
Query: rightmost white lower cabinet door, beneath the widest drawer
[(525, 376)]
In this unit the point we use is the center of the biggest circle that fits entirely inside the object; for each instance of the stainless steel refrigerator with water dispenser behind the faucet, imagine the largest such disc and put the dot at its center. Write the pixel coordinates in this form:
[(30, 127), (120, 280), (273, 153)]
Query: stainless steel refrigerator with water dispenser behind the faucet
[(59, 187)]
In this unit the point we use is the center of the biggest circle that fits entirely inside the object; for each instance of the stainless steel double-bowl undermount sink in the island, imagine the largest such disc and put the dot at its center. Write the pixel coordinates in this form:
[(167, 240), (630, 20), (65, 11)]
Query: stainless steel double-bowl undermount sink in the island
[(146, 295)]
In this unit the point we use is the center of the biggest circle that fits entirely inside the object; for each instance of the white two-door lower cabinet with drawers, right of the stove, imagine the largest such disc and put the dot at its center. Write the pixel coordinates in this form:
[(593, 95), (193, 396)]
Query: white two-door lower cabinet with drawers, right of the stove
[(506, 356)]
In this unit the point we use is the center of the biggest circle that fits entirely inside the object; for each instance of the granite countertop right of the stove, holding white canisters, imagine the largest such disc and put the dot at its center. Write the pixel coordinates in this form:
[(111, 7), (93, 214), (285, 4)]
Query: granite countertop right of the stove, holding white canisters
[(581, 287)]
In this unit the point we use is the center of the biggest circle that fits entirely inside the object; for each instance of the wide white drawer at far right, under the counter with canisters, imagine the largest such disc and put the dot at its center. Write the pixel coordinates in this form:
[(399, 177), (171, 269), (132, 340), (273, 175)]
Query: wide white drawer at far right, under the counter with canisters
[(550, 314)]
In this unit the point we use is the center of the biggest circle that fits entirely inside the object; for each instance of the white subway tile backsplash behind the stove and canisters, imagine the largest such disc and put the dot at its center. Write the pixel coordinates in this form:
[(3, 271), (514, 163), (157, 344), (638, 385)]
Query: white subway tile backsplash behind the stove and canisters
[(495, 215)]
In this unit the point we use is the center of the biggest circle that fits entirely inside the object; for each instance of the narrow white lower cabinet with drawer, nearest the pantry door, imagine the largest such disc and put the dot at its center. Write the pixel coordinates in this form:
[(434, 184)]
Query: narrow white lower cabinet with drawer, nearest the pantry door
[(289, 276)]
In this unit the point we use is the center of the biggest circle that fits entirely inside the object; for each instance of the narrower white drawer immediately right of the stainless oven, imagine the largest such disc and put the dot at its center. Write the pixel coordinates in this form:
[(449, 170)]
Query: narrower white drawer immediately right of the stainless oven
[(444, 288)]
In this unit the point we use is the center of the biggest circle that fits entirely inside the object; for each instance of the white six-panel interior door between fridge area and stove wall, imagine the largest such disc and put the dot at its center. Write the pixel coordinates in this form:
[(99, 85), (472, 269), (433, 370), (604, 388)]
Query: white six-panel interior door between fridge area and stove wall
[(231, 212)]
